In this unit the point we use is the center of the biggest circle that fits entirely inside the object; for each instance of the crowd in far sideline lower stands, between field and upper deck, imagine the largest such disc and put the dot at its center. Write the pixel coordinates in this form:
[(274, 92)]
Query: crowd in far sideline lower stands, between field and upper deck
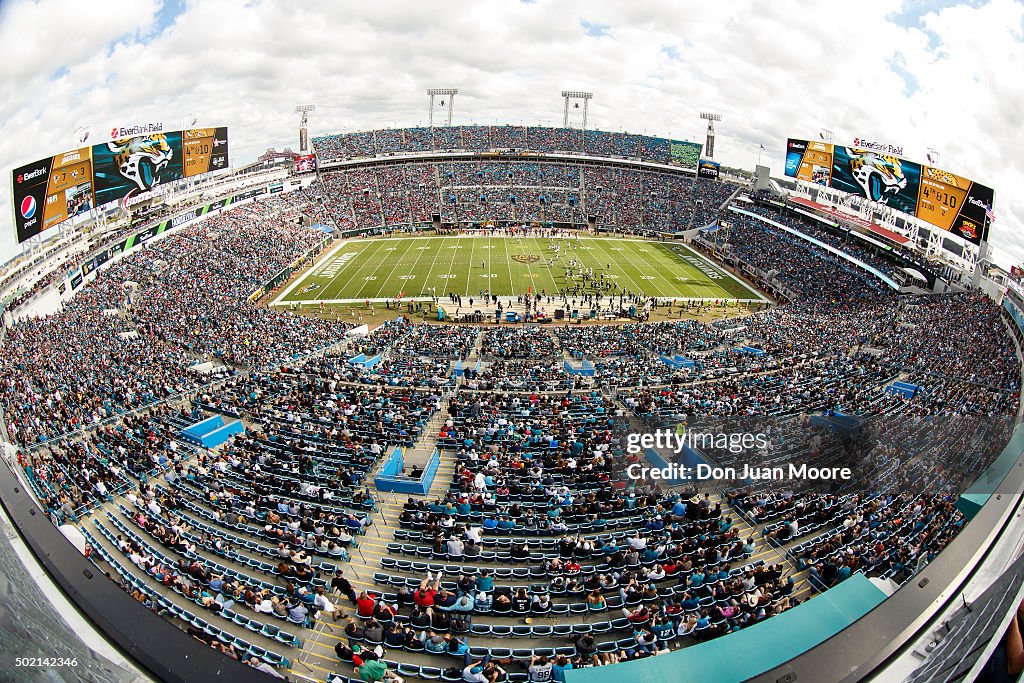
[(473, 192)]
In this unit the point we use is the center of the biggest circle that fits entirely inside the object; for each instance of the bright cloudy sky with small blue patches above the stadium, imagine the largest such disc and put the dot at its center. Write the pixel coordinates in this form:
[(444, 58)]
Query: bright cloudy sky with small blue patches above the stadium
[(946, 75)]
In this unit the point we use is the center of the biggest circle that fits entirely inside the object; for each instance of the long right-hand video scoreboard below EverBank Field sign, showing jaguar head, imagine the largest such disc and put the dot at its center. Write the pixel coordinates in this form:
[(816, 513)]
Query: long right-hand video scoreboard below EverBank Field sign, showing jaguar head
[(946, 200)]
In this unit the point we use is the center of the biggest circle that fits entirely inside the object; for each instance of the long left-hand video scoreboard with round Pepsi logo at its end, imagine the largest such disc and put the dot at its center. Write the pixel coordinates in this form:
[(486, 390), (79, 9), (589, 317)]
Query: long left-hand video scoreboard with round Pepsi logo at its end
[(49, 192)]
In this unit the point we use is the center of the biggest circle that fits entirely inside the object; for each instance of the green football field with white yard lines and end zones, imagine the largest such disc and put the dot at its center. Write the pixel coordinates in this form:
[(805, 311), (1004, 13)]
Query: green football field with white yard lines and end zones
[(381, 269)]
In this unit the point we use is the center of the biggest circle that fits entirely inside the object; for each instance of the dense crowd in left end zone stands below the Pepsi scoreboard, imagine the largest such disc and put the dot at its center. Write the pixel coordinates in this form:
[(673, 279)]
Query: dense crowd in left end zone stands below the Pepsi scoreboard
[(130, 336)]
